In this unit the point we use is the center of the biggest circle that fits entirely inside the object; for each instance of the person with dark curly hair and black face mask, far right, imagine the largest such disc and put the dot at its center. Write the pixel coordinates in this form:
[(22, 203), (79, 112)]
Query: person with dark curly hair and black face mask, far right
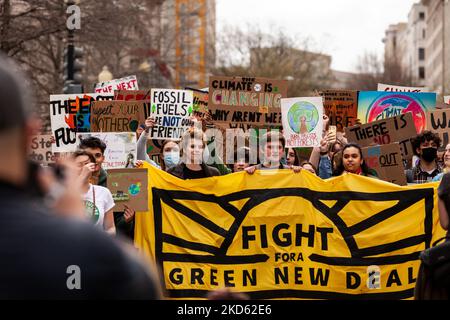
[(425, 146)]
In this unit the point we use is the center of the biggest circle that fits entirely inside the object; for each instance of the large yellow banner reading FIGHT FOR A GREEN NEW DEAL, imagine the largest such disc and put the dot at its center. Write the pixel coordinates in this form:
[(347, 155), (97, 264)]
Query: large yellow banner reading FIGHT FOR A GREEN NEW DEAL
[(277, 234)]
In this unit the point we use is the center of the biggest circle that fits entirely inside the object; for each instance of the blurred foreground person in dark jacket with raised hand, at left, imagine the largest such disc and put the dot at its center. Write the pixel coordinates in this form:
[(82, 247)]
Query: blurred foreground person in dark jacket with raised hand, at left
[(40, 248)]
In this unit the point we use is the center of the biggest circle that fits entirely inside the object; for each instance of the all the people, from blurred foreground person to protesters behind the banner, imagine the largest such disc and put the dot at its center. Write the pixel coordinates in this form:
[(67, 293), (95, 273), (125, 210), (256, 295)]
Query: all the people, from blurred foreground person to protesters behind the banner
[(110, 266)]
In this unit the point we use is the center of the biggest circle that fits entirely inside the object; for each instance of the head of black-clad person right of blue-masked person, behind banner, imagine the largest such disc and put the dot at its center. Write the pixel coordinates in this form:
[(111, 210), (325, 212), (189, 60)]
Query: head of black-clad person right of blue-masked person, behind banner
[(193, 145)]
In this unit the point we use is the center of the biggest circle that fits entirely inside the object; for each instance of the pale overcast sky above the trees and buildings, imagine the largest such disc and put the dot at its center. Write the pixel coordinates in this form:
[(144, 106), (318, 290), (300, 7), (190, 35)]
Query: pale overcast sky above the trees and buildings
[(345, 29)]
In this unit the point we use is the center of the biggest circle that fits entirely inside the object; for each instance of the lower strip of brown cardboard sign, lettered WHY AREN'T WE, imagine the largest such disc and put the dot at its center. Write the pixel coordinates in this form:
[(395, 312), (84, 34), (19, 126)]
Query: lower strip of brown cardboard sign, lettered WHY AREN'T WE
[(245, 118)]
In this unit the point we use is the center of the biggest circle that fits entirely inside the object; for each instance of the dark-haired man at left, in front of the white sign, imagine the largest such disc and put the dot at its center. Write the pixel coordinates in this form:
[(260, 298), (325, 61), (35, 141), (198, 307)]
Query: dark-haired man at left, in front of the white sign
[(96, 147)]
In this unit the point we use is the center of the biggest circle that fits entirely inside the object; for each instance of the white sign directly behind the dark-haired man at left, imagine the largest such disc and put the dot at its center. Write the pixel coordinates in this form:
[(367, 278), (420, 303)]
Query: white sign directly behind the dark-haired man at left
[(120, 148)]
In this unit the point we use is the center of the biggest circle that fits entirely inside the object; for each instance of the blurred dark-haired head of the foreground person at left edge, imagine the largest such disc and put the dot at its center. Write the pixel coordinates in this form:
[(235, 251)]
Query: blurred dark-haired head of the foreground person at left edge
[(18, 122)]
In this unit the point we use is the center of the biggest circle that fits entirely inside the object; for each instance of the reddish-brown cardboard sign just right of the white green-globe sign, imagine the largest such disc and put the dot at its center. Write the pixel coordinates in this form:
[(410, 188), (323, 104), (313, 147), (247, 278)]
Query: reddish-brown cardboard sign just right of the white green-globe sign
[(341, 106)]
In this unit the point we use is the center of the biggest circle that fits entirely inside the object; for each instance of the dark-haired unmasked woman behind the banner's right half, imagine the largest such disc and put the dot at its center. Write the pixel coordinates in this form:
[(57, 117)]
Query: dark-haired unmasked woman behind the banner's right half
[(353, 162)]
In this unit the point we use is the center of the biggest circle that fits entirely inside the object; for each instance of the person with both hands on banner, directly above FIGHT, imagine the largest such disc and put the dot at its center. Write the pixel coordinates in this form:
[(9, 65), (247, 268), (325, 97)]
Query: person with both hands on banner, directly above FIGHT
[(272, 145)]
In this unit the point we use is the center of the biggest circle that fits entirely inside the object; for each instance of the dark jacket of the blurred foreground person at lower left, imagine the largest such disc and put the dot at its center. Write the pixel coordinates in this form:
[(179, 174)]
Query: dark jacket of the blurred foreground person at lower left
[(39, 251)]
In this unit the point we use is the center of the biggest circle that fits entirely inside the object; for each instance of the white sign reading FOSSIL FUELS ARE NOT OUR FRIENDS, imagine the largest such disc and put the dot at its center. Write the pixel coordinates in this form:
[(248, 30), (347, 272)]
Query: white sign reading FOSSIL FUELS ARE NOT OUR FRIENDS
[(171, 110)]
